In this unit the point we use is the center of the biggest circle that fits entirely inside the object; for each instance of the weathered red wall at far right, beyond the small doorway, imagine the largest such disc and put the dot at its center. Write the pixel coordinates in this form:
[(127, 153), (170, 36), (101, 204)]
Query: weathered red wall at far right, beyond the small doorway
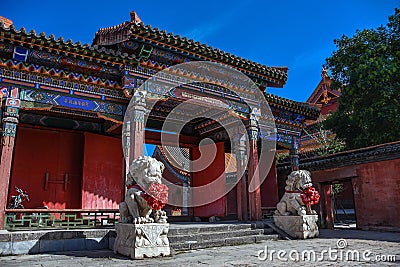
[(376, 194)]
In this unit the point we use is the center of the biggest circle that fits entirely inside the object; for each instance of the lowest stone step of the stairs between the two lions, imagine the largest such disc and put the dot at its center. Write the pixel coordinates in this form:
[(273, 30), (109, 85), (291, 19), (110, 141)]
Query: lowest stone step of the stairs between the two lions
[(229, 241)]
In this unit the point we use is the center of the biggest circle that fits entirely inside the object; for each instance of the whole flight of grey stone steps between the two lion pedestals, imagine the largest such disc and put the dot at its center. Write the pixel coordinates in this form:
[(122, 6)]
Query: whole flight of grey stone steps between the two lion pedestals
[(189, 236)]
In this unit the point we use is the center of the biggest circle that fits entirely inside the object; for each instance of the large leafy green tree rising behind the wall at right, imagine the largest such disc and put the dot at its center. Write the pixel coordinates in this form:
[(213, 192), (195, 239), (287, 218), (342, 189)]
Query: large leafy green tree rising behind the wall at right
[(367, 69)]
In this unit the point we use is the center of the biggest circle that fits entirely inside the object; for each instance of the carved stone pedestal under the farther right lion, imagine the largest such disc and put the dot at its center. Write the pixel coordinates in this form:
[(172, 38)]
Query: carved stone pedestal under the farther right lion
[(300, 227)]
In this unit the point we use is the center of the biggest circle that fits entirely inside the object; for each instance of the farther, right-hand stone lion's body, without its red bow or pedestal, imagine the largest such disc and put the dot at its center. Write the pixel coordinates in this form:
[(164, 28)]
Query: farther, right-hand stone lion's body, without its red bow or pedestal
[(291, 202)]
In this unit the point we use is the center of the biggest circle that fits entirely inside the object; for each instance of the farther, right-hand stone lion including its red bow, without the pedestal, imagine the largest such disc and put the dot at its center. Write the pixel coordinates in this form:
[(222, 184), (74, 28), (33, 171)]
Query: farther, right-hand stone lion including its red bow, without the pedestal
[(299, 195)]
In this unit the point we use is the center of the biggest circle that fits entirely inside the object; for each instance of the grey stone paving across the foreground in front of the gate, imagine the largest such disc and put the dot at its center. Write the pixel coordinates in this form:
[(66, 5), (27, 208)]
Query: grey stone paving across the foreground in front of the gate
[(367, 244)]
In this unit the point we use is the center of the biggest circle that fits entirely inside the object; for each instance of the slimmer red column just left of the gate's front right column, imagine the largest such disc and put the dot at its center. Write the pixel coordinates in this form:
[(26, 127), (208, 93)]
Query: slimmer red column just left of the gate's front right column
[(241, 186)]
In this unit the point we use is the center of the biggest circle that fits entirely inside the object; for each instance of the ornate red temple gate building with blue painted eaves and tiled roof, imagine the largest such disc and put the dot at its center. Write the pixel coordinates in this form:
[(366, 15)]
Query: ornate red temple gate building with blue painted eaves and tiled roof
[(63, 107)]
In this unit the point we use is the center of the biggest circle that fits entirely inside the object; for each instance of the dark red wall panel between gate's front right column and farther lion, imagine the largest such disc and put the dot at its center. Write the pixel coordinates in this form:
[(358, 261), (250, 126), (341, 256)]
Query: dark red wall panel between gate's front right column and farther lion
[(269, 189)]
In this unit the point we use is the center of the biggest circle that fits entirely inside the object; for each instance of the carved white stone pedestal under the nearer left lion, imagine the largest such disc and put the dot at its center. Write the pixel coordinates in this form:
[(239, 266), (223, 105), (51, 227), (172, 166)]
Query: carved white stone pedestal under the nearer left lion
[(142, 240)]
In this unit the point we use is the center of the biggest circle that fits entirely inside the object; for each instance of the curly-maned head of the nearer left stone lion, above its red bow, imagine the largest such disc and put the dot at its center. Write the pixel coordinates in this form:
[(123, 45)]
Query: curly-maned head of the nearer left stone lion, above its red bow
[(144, 171)]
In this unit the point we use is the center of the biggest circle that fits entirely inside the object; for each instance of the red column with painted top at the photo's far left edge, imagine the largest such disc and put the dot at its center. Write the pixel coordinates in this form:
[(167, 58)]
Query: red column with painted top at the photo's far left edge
[(10, 121)]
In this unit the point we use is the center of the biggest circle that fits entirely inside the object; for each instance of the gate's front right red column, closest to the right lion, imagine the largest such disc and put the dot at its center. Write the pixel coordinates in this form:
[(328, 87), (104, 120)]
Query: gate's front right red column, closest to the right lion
[(253, 172)]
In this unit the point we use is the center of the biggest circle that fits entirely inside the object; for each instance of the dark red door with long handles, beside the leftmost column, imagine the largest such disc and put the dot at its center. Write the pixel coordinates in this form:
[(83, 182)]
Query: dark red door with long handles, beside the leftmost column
[(39, 151)]
